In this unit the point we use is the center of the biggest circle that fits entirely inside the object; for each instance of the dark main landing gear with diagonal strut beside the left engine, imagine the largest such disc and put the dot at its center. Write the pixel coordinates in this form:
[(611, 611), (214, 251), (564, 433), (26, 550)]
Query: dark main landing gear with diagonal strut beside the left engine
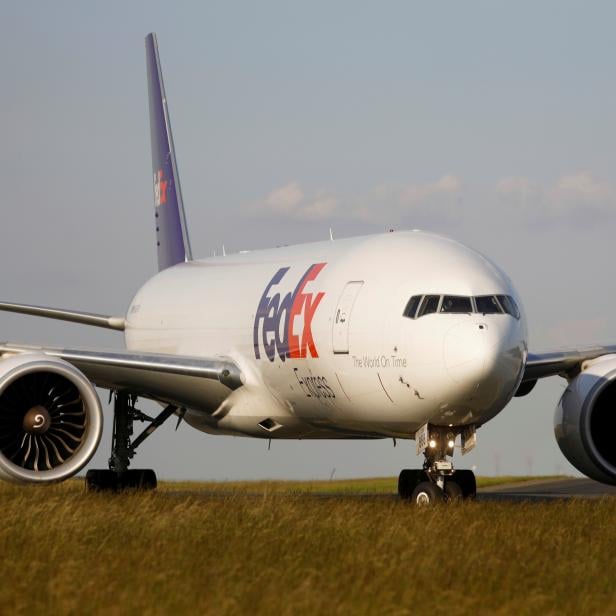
[(119, 476)]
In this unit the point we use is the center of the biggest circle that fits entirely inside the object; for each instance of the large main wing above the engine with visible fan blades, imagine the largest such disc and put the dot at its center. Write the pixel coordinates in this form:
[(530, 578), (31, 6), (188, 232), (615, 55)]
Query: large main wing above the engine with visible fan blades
[(195, 382)]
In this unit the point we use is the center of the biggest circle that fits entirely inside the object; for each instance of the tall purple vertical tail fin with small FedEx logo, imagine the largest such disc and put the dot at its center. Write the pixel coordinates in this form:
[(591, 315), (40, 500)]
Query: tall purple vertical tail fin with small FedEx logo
[(171, 232)]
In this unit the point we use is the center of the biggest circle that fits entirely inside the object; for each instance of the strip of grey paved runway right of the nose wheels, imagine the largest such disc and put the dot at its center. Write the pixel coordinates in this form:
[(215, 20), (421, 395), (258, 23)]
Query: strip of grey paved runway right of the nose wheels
[(548, 489)]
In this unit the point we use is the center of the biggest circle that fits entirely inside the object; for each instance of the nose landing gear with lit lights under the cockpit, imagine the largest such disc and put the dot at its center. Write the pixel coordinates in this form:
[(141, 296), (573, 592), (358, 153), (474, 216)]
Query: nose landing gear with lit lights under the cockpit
[(437, 482)]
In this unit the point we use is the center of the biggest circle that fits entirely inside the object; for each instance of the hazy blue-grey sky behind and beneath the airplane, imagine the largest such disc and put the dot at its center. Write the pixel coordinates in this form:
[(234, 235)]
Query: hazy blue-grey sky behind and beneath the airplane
[(492, 122)]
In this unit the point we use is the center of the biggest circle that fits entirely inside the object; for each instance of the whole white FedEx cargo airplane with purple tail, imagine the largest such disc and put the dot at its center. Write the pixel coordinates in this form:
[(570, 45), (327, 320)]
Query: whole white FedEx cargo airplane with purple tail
[(405, 335)]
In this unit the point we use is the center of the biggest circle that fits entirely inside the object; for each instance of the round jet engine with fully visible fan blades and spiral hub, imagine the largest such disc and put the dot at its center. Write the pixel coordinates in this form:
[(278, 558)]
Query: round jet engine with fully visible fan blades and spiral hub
[(51, 419)]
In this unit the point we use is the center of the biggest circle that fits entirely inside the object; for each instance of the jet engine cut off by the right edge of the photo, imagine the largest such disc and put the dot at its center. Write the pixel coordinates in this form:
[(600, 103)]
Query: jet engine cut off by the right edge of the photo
[(585, 420)]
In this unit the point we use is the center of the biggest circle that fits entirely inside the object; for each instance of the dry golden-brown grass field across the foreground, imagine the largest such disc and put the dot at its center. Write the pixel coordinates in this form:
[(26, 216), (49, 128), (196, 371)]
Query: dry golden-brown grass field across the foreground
[(290, 548)]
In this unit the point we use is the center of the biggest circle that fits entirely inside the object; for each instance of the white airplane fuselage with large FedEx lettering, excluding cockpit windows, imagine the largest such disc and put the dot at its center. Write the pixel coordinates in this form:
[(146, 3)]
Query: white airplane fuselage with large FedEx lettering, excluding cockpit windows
[(334, 357)]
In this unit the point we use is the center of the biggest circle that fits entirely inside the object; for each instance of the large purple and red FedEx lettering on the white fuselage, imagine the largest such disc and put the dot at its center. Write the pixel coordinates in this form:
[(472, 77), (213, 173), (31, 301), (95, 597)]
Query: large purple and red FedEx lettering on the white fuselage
[(276, 318)]
